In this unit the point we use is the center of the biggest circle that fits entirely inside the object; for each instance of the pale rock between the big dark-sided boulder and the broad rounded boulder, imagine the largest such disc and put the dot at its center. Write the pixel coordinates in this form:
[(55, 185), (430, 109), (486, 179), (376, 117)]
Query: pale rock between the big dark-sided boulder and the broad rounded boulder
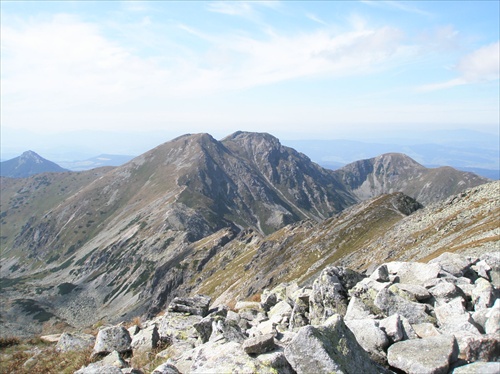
[(371, 338)]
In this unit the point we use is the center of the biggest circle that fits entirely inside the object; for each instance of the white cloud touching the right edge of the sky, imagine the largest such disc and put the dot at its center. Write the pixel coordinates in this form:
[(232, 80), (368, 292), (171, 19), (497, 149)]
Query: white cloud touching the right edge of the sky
[(482, 65)]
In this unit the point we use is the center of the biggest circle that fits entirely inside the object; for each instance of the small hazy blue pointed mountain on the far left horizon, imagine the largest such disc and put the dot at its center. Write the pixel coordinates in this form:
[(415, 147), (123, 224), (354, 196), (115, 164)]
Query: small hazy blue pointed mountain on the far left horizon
[(29, 163)]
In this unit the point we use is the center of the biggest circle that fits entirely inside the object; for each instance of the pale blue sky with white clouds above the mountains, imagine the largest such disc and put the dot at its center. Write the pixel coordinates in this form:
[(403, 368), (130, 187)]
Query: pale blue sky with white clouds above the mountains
[(124, 76)]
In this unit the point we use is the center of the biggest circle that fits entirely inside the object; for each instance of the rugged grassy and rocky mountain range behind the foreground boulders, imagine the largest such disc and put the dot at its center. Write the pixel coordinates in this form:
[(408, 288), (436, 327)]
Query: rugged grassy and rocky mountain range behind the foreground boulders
[(225, 218)]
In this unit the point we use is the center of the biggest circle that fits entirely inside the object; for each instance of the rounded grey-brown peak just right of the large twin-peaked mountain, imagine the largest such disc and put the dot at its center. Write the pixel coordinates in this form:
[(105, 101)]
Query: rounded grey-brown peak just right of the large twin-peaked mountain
[(393, 172)]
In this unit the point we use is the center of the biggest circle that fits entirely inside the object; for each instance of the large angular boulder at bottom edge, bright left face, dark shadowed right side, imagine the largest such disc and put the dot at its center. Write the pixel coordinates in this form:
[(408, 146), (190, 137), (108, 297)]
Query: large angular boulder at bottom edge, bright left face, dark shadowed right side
[(330, 348)]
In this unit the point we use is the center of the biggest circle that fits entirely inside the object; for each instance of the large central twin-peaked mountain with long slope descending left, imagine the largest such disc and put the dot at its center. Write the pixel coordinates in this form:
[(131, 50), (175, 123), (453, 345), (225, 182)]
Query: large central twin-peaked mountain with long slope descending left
[(131, 238)]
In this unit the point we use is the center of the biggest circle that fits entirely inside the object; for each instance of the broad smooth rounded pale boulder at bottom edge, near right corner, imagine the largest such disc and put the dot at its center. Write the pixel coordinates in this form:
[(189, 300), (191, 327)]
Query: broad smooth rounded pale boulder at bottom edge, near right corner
[(424, 356)]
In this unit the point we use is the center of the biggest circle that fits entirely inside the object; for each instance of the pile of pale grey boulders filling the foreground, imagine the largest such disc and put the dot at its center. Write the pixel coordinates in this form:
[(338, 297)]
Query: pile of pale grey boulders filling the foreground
[(404, 317)]
